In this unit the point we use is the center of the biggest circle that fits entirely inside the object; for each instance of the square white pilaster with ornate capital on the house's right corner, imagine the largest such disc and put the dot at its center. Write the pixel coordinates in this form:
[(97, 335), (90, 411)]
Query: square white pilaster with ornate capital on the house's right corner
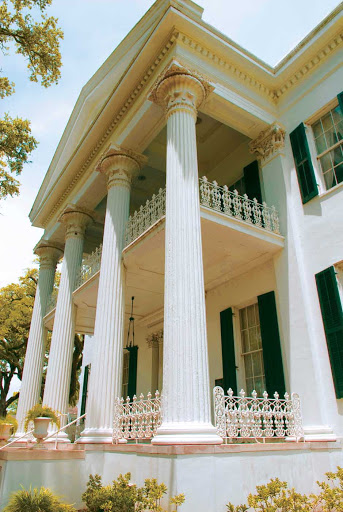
[(305, 358)]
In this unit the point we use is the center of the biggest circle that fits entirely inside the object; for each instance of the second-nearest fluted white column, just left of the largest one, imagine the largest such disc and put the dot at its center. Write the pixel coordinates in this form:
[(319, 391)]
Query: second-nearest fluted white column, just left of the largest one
[(107, 366)]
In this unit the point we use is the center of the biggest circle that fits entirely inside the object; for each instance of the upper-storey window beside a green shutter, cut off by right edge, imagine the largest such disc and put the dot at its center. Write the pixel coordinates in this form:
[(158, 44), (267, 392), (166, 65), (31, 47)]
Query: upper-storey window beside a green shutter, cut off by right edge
[(328, 136)]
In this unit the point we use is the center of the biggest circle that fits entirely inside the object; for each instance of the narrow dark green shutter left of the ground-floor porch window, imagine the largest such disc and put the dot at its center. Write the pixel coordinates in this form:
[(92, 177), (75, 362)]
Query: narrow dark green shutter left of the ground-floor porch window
[(228, 351)]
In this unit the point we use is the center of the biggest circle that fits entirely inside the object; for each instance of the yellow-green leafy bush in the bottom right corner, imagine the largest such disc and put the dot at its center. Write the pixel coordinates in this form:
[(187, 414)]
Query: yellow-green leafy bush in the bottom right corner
[(276, 497)]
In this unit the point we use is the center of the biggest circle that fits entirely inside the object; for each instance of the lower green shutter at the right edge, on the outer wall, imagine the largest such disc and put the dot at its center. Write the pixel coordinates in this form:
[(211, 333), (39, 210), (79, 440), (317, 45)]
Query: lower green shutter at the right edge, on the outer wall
[(331, 308)]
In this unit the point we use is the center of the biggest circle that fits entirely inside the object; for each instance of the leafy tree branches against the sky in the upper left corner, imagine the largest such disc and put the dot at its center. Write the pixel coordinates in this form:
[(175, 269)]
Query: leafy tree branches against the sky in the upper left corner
[(38, 42)]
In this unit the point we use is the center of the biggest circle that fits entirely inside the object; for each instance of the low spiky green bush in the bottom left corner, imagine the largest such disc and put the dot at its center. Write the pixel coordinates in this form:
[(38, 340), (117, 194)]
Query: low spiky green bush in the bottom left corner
[(38, 500)]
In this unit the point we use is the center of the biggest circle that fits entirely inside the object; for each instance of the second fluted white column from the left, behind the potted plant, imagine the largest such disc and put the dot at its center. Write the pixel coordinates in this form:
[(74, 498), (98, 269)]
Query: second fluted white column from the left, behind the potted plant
[(57, 384)]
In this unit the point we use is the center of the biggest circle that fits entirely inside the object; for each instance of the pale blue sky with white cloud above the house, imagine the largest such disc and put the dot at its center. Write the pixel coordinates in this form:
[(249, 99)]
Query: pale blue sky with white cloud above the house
[(92, 30)]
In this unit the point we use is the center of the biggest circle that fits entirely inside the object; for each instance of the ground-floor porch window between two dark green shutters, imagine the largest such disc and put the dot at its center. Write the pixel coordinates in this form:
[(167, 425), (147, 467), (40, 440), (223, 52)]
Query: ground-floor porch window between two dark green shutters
[(252, 351)]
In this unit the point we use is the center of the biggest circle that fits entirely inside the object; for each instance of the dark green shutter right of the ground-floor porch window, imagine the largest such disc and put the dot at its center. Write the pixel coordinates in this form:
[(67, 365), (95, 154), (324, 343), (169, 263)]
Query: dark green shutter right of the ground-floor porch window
[(272, 356)]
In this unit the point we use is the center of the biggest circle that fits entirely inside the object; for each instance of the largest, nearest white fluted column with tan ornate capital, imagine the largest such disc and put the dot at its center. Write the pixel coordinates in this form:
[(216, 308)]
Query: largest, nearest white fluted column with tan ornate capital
[(186, 390)]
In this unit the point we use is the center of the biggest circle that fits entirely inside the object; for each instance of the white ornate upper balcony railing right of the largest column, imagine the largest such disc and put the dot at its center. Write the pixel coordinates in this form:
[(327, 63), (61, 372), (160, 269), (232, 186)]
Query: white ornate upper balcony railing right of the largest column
[(232, 204)]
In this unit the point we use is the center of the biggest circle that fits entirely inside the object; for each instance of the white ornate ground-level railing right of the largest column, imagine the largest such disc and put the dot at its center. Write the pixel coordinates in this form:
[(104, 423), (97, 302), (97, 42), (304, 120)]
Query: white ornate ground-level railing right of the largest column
[(253, 417)]
